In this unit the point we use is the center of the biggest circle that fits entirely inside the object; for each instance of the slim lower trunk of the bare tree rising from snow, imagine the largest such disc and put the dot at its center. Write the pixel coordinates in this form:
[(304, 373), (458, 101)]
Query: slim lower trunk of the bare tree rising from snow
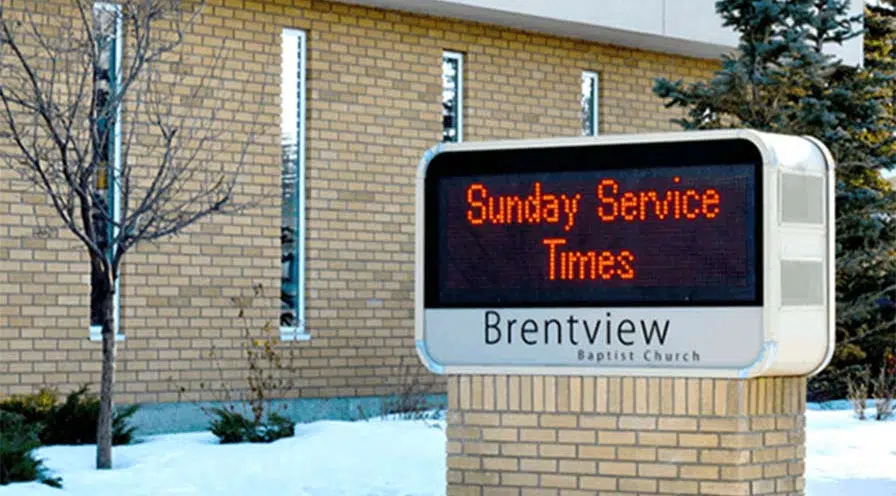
[(103, 293)]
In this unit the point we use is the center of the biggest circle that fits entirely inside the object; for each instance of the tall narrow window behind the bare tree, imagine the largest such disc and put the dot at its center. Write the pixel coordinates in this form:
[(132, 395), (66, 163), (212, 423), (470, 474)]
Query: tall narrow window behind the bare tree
[(107, 191)]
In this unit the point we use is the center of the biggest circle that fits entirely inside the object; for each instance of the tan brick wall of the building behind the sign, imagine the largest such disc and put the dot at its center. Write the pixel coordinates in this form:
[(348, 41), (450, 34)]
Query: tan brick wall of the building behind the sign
[(374, 106)]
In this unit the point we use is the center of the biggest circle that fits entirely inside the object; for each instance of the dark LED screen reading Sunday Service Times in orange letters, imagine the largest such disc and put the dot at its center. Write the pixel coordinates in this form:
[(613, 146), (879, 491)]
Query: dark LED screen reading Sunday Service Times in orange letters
[(645, 236)]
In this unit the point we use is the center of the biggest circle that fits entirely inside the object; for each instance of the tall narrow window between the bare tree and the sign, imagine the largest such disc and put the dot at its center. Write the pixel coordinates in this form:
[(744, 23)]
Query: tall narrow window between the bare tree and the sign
[(292, 231)]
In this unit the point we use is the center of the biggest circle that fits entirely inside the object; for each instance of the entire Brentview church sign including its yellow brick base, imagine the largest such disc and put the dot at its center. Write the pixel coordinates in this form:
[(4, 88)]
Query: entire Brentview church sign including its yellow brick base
[(628, 314)]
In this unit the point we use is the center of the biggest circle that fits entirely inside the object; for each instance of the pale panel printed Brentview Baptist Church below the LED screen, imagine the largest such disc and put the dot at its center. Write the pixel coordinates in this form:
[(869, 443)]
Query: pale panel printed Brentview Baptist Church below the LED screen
[(596, 338)]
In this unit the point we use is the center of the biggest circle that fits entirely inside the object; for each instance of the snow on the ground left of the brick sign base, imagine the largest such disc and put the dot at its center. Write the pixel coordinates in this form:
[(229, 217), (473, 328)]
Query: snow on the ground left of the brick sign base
[(323, 459)]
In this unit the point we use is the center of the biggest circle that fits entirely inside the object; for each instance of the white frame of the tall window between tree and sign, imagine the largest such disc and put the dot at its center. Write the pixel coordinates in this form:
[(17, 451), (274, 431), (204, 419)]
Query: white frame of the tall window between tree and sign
[(298, 332)]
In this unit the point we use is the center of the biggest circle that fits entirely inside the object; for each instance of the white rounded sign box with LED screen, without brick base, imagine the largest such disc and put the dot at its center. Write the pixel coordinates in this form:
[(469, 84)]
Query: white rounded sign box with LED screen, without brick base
[(631, 254)]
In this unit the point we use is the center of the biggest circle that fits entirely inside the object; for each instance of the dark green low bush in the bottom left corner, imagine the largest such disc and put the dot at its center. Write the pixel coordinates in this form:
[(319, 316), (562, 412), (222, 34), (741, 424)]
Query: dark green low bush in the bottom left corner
[(18, 439)]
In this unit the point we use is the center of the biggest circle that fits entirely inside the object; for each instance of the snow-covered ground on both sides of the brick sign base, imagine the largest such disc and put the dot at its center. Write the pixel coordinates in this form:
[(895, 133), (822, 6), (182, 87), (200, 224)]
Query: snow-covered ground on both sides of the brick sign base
[(380, 458)]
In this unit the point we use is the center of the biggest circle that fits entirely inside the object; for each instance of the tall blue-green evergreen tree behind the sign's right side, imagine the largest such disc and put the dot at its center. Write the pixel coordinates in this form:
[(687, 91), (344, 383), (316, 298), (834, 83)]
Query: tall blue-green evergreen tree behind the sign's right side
[(781, 81)]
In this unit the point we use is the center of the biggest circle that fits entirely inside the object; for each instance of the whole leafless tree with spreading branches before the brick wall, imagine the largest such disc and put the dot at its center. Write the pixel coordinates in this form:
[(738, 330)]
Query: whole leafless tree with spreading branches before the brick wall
[(106, 113)]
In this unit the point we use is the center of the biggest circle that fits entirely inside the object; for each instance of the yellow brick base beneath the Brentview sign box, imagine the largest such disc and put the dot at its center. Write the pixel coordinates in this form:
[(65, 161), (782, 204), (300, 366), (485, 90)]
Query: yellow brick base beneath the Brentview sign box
[(566, 436)]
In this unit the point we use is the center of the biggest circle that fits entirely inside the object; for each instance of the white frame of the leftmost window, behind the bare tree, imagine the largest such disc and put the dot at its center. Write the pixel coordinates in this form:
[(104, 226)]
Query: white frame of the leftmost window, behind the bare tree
[(115, 169)]
